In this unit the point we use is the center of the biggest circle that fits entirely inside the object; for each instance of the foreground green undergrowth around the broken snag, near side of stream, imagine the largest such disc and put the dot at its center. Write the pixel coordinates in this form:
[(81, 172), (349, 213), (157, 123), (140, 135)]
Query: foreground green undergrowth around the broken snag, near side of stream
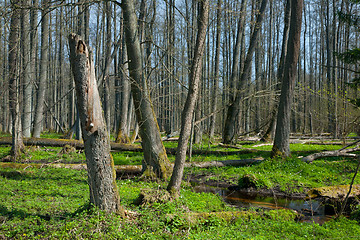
[(52, 203)]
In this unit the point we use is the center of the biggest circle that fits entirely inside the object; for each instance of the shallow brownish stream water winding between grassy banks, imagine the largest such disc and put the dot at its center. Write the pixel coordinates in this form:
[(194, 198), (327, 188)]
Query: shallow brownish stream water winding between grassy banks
[(312, 210)]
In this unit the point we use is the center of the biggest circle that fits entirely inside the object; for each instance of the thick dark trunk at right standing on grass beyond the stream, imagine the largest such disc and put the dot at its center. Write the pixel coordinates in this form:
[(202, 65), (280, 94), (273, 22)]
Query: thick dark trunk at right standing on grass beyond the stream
[(281, 142)]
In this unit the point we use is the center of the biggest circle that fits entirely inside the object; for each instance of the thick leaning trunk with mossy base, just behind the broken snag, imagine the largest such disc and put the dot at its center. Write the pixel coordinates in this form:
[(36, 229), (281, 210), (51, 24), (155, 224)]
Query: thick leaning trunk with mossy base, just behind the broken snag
[(155, 160)]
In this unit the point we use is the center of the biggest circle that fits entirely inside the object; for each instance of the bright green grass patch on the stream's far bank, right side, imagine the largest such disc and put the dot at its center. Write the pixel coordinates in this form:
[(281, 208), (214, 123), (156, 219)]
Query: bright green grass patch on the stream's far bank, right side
[(291, 175)]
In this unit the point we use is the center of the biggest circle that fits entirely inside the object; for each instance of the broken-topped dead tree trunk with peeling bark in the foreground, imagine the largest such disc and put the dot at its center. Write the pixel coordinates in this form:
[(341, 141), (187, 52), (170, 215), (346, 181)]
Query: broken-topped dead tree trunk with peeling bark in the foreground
[(101, 174)]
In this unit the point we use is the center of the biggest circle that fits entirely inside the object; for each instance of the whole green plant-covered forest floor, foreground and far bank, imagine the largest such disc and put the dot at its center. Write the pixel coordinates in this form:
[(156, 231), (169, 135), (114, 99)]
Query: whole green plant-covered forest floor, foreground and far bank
[(52, 203)]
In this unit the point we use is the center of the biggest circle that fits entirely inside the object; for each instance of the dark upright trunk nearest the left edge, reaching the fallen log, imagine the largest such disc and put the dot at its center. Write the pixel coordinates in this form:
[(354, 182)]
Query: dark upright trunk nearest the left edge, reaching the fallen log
[(13, 61)]
